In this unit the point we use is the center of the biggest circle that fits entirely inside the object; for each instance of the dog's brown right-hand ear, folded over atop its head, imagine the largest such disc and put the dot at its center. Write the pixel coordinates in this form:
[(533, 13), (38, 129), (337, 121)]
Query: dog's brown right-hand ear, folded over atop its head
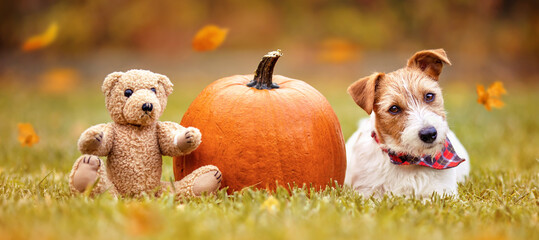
[(429, 61)]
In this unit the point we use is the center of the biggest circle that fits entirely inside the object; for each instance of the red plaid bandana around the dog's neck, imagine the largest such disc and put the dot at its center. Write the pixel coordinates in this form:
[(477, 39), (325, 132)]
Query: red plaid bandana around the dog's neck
[(447, 158)]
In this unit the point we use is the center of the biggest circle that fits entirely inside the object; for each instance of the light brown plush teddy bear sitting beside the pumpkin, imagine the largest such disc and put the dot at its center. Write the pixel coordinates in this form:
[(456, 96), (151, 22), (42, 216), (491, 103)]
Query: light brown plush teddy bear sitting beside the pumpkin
[(135, 142)]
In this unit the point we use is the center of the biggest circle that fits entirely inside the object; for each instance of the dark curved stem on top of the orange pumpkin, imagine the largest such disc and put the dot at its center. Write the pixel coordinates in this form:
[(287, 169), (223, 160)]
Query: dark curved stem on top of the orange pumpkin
[(264, 72)]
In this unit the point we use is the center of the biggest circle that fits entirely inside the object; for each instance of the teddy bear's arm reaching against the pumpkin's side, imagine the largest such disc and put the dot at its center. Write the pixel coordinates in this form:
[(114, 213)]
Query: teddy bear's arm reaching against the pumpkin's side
[(175, 140)]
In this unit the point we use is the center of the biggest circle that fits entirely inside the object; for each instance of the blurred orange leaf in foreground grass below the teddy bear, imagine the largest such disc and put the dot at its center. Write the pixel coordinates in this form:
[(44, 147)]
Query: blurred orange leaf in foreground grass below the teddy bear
[(141, 220)]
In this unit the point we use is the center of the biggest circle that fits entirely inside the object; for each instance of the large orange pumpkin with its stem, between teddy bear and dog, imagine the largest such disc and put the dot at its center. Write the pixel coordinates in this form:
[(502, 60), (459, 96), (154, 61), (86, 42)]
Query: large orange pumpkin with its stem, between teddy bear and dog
[(267, 130)]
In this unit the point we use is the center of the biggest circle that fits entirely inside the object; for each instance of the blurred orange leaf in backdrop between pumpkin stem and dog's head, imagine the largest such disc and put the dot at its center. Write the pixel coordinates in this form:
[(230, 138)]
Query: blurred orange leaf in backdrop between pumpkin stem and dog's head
[(337, 50)]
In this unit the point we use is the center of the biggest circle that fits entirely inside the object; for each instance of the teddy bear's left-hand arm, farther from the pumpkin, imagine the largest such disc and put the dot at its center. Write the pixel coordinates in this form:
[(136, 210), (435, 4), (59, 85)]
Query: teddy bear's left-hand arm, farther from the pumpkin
[(97, 140)]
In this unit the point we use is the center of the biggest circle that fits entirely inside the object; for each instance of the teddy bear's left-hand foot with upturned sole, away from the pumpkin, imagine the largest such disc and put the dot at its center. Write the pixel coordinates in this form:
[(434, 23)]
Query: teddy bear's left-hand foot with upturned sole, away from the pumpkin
[(86, 173)]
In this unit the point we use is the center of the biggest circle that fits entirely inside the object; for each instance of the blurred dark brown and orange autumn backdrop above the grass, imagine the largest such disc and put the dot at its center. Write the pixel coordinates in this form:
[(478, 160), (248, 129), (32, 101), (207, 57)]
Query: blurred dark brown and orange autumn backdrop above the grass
[(344, 40)]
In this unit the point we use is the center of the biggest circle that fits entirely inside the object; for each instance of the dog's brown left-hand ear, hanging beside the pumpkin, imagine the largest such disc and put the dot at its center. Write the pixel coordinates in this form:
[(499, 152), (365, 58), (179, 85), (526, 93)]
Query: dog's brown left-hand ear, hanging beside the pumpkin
[(362, 91)]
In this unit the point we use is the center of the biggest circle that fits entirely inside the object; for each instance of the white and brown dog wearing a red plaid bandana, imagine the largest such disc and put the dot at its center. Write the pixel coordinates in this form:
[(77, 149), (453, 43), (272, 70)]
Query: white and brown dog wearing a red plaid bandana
[(405, 147)]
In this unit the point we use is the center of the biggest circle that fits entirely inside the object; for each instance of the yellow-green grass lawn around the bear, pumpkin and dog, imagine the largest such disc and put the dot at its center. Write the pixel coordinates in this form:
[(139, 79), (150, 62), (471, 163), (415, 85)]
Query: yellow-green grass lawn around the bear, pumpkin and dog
[(499, 201)]
